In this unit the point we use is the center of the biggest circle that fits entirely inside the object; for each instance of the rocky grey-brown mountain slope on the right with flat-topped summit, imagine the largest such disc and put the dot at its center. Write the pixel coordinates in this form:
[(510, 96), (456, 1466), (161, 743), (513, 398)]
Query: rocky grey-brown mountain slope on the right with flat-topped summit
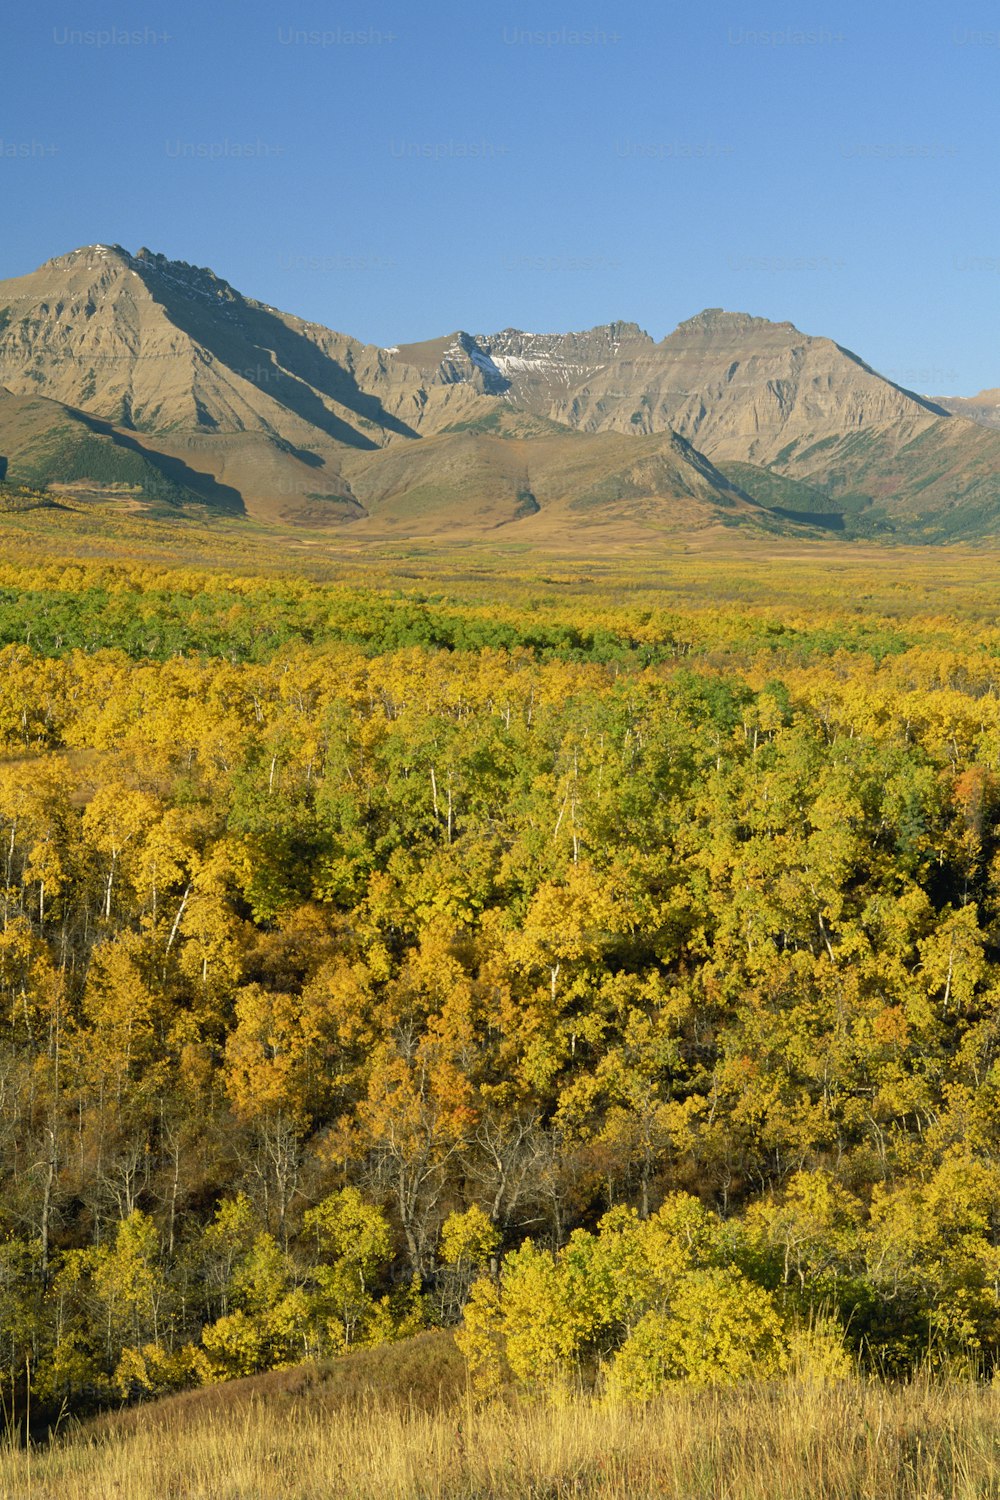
[(767, 398)]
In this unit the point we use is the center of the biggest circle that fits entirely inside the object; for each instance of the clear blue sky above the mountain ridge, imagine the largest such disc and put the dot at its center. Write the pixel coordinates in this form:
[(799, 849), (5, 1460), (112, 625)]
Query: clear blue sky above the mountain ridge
[(398, 172)]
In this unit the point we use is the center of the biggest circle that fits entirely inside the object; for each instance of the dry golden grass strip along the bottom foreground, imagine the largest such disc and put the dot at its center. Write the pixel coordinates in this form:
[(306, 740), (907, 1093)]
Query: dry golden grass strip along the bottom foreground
[(852, 1442)]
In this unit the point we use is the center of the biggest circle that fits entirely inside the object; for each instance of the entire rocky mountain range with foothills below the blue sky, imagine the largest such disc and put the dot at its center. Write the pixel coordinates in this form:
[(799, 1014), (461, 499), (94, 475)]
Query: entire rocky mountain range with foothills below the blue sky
[(158, 382)]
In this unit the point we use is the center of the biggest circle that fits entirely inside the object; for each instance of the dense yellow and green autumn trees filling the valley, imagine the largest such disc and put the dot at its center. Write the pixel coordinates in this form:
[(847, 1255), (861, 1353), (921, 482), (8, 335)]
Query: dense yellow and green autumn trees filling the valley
[(657, 1006)]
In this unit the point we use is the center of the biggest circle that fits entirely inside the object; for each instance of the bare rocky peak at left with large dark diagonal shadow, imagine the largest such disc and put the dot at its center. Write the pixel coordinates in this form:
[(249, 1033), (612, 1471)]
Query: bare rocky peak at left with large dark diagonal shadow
[(155, 344)]
